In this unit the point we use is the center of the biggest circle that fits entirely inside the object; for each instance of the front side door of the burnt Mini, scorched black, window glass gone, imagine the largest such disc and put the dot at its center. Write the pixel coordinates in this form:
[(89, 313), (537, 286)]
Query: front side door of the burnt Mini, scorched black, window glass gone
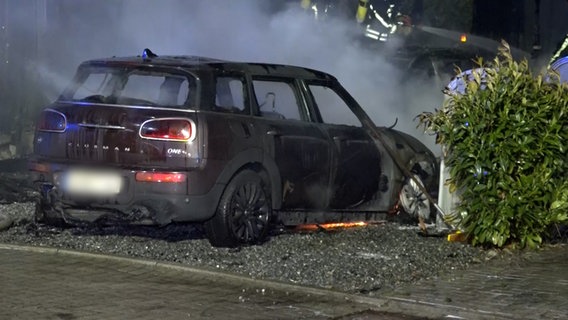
[(356, 160)]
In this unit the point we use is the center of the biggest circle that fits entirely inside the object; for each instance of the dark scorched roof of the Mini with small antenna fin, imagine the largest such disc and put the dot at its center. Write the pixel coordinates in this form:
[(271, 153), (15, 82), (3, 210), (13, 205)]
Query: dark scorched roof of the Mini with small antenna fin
[(204, 64)]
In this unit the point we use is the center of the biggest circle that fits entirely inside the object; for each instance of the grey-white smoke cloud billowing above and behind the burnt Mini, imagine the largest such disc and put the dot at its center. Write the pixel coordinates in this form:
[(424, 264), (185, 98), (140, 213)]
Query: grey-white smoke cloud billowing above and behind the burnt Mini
[(67, 32)]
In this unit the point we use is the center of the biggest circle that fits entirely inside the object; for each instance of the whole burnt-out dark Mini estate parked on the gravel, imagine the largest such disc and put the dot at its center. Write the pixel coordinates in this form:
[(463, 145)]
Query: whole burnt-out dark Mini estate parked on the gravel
[(237, 146)]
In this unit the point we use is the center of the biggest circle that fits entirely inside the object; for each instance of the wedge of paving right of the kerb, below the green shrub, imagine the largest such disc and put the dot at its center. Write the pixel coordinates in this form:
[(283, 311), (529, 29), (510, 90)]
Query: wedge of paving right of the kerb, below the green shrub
[(535, 288)]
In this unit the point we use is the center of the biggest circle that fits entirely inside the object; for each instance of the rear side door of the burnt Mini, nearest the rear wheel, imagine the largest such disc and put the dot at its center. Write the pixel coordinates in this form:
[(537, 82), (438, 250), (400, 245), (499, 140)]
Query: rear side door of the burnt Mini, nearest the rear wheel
[(301, 151)]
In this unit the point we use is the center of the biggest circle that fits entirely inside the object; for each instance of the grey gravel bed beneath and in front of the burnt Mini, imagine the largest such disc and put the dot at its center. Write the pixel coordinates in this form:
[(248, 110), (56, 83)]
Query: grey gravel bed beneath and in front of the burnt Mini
[(364, 260)]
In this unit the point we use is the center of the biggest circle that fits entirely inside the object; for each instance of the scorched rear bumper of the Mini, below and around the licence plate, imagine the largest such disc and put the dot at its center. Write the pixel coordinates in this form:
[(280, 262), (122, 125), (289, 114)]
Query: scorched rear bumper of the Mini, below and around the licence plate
[(137, 203)]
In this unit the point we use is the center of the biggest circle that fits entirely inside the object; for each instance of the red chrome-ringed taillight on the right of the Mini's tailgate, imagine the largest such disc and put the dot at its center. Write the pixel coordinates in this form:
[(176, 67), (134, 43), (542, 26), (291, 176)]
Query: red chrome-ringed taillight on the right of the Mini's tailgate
[(177, 129)]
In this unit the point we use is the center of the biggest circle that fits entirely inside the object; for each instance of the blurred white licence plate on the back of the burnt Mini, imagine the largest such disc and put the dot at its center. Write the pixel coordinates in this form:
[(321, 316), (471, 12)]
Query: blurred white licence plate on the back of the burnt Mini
[(93, 183)]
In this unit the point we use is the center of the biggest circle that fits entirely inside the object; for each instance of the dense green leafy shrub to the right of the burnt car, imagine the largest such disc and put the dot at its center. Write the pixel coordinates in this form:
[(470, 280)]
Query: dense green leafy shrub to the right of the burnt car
[(505, 145)]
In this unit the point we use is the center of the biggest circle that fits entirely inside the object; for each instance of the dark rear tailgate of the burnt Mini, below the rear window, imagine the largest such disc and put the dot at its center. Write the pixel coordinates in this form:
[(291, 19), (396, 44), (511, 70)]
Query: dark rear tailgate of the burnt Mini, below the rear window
[(111, 135)]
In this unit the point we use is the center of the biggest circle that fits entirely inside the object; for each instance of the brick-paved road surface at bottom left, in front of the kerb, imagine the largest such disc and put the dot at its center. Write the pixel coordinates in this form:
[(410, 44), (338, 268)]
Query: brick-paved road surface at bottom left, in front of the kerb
[(52, 285)]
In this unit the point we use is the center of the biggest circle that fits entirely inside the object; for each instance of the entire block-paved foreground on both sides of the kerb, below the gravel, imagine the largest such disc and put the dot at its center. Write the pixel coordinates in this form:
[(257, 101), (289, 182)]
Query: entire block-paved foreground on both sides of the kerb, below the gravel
[(46, 283)]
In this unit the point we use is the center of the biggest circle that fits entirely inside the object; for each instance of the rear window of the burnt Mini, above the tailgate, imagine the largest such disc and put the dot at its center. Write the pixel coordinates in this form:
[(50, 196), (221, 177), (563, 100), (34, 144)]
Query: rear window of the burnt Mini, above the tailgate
[(132, 87)]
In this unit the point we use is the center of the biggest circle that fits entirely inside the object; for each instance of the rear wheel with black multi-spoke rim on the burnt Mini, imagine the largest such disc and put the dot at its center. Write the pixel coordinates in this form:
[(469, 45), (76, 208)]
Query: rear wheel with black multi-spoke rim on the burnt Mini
[(244, 212)]
